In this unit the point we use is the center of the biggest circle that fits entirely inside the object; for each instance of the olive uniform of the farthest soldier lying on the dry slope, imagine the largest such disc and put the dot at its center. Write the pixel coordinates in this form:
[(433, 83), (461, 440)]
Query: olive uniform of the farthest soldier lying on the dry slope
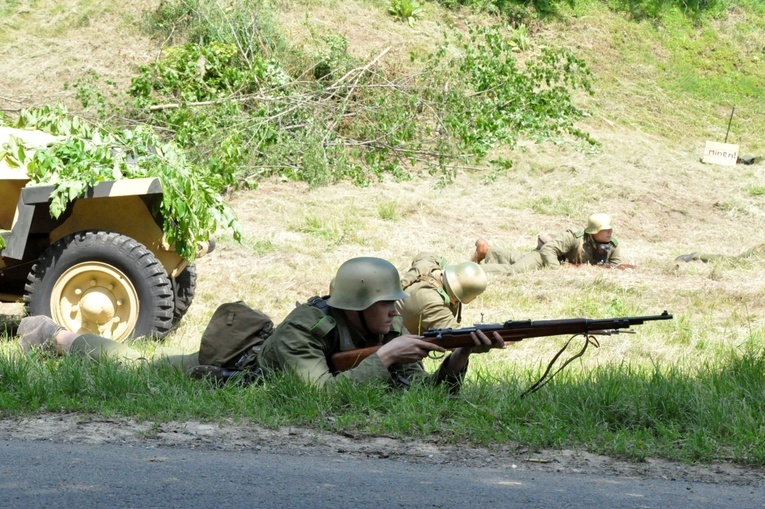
[(572, 246)]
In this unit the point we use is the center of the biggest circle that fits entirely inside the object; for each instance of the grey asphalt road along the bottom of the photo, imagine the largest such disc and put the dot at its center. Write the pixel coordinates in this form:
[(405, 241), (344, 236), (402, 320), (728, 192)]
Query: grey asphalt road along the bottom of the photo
[(46, 474)]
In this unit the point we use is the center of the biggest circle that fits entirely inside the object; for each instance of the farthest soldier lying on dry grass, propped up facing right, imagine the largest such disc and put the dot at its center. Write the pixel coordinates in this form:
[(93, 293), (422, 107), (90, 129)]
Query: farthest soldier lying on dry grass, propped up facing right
[(594, 245)]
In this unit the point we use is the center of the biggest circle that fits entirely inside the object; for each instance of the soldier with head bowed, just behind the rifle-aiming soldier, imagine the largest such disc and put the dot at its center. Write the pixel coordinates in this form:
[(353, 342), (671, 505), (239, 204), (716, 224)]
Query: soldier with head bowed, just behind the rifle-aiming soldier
[(437, 291)]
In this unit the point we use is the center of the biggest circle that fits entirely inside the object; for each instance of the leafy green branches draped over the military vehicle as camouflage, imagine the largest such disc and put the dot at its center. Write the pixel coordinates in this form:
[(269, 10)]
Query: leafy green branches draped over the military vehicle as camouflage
[(85, 155)]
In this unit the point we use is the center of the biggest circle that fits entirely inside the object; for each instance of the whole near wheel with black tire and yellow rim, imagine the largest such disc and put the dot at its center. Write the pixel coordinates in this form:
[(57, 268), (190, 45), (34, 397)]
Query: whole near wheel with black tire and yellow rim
[(104, 283)]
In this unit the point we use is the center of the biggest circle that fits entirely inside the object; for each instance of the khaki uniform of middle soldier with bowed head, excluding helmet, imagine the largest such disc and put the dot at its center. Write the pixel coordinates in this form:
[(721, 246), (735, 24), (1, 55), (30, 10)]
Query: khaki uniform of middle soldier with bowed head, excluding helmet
[(429, 305)]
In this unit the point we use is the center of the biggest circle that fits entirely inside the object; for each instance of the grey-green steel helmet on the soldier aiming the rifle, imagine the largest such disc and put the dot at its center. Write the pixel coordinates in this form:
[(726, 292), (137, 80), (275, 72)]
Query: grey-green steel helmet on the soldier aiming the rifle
[(360, 282)]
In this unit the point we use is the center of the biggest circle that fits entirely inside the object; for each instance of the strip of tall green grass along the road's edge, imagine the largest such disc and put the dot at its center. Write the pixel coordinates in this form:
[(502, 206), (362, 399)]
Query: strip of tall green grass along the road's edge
[(708, 412)]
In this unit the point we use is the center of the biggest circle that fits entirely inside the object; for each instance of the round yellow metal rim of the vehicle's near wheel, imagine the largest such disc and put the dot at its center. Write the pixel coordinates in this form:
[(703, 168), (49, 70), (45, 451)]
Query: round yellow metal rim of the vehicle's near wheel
[(95, 297)]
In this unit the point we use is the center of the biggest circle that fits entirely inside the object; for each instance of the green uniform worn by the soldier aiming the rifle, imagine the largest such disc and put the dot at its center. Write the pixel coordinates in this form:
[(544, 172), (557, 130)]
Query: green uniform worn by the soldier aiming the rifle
[(303, 343)]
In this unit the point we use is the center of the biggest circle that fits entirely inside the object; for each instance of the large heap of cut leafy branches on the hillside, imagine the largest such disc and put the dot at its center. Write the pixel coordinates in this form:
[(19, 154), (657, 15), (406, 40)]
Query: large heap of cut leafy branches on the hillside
[(244, 110)]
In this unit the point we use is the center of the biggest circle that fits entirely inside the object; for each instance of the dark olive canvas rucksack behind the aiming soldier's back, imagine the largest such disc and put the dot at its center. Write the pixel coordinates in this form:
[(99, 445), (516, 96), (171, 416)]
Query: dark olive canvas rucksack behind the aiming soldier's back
[(234, 336)]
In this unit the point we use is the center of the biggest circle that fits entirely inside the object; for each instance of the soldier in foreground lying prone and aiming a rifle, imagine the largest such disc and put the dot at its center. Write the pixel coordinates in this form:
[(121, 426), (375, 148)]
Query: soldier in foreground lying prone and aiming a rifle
[(360, 312)]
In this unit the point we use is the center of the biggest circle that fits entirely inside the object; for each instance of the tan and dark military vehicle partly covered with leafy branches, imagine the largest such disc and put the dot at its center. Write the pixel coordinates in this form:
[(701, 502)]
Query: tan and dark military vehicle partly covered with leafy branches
[(103, 266)]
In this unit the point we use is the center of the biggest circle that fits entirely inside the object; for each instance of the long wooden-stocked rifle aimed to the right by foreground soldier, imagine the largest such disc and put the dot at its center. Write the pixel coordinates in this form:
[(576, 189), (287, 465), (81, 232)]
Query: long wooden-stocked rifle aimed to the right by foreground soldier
[(510, 331)]
